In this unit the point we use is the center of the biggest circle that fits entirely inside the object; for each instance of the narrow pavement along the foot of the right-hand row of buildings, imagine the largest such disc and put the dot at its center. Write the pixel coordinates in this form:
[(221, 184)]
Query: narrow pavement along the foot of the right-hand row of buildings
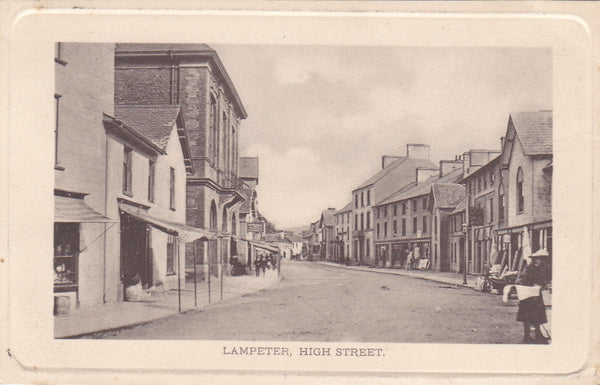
[(450, 278)]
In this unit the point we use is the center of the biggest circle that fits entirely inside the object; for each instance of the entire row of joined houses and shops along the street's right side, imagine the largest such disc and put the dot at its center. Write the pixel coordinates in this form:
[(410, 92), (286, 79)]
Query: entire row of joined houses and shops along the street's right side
[(460, 212)]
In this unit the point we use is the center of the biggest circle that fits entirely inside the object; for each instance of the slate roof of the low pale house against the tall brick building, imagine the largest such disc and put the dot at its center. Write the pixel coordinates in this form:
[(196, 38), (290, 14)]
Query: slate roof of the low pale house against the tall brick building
[(154, 123)]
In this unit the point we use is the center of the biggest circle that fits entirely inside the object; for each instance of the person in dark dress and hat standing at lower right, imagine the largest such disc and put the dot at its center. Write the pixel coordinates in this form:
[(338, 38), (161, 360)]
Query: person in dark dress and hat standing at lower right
[(532, 310)]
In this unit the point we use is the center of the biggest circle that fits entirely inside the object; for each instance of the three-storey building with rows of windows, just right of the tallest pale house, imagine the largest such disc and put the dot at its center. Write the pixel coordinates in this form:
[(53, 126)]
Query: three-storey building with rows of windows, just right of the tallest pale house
[(403, 222)]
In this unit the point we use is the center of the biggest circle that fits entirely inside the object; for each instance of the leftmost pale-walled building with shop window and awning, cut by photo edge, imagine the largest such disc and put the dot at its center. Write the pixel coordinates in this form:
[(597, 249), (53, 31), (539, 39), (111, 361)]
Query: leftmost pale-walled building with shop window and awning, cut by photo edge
[(86, 266)]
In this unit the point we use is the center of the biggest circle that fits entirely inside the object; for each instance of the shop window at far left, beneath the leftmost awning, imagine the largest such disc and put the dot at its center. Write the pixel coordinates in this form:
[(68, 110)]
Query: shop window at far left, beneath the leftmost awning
[(66, 254)]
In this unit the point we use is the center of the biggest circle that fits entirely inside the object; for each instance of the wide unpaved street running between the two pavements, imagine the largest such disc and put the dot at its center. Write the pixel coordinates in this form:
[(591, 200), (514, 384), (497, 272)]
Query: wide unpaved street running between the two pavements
[(321, 303)]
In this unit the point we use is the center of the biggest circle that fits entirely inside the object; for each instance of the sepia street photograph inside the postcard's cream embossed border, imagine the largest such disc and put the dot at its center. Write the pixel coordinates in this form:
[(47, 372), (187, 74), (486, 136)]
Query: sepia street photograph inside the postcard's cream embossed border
[(405, 193)]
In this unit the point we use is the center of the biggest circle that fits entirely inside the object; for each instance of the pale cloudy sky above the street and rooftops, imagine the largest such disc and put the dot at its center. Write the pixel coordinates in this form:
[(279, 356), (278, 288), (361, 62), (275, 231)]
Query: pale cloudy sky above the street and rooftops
[(321, 117)]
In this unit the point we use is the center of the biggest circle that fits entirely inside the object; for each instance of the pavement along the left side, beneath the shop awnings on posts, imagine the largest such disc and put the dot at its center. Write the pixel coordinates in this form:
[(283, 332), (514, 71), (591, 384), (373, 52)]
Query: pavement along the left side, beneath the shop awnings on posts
[(158, 305)]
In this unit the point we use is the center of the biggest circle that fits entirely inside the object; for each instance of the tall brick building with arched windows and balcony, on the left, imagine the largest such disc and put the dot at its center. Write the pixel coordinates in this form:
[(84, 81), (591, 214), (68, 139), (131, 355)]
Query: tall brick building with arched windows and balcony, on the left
[(193, 77)]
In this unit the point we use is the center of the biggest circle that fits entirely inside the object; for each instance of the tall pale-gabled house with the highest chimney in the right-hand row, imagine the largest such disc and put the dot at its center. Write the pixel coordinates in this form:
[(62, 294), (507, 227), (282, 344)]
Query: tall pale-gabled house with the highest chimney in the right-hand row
[(396, 172)]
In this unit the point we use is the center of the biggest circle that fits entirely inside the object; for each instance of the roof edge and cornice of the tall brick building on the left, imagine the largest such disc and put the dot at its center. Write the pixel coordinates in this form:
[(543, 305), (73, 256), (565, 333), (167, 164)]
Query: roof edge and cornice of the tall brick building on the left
[(172, 50)]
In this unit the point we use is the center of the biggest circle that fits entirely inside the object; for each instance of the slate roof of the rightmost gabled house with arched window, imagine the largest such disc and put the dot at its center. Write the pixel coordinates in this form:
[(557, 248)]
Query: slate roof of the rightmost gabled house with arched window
[(534, 130)]
